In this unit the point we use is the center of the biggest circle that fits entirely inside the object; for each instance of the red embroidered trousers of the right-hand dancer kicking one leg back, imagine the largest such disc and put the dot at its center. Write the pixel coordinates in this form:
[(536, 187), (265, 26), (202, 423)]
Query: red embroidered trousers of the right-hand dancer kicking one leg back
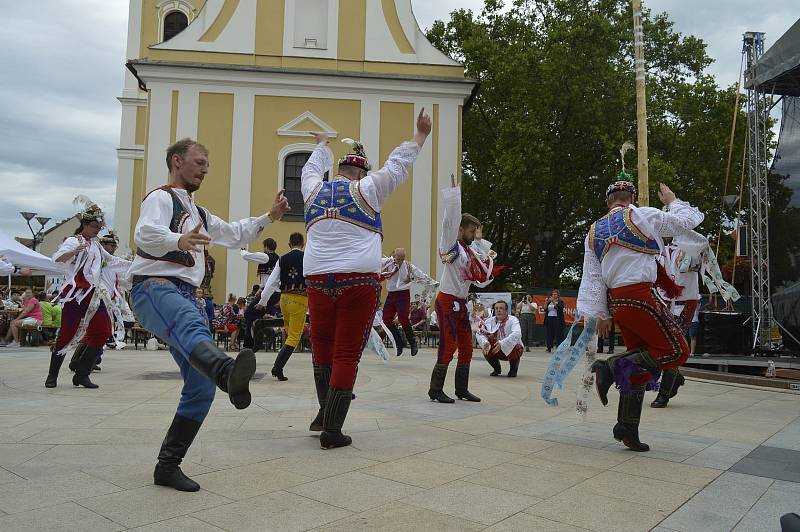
[(645, 322)]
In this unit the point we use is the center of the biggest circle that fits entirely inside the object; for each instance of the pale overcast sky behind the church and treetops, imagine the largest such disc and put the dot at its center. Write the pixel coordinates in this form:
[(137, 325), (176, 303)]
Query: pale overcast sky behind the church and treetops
[(62, 66)]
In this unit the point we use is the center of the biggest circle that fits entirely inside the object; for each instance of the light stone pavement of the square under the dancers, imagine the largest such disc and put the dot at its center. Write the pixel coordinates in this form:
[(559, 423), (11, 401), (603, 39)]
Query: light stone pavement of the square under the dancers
[(723, 457)]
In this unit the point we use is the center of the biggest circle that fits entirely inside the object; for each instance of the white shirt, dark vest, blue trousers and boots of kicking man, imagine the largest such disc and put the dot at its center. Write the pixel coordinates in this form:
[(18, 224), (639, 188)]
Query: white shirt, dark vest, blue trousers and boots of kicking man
[(165, 279)]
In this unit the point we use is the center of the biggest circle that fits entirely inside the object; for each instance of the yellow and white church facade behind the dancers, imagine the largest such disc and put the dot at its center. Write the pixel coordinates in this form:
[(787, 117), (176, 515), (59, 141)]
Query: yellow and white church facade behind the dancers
[(251, 78)]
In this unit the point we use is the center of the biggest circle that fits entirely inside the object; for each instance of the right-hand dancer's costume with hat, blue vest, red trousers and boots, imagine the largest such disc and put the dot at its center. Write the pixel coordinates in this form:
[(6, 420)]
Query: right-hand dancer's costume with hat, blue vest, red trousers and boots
[(620, 272)]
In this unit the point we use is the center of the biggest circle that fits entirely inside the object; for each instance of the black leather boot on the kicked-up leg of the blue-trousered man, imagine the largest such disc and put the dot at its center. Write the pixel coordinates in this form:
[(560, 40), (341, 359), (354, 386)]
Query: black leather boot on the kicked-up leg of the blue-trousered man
[(230, 376)]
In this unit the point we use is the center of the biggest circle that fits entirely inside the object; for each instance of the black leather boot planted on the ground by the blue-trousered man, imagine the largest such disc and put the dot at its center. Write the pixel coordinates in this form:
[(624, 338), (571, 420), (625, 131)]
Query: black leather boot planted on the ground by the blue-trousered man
[(179, 437)]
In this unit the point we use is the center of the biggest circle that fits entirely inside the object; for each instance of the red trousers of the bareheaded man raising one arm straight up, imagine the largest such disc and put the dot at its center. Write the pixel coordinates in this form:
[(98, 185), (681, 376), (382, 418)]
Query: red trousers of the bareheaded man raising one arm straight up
[(454, 329)]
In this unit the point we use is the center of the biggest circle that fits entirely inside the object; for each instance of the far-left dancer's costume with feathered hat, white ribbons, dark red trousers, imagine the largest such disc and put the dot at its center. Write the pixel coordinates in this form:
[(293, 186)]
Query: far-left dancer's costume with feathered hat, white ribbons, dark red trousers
[(85, 300)]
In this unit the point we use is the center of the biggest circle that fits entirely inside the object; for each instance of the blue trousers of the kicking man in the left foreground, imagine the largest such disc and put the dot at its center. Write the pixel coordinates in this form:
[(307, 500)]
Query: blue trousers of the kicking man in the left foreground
[(167, 309)]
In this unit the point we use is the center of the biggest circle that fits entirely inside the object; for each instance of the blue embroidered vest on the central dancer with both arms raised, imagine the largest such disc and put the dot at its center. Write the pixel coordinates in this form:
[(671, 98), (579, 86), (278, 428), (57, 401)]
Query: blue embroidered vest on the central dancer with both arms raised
[(341, 199)]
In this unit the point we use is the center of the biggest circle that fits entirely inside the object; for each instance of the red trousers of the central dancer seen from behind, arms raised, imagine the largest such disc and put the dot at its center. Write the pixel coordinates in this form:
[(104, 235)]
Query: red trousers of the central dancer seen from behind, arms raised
[(341, 308)]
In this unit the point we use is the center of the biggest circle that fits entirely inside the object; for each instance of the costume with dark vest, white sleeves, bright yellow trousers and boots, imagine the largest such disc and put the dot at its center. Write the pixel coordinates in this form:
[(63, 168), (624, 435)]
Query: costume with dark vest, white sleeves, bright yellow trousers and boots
[(287, 276)]
